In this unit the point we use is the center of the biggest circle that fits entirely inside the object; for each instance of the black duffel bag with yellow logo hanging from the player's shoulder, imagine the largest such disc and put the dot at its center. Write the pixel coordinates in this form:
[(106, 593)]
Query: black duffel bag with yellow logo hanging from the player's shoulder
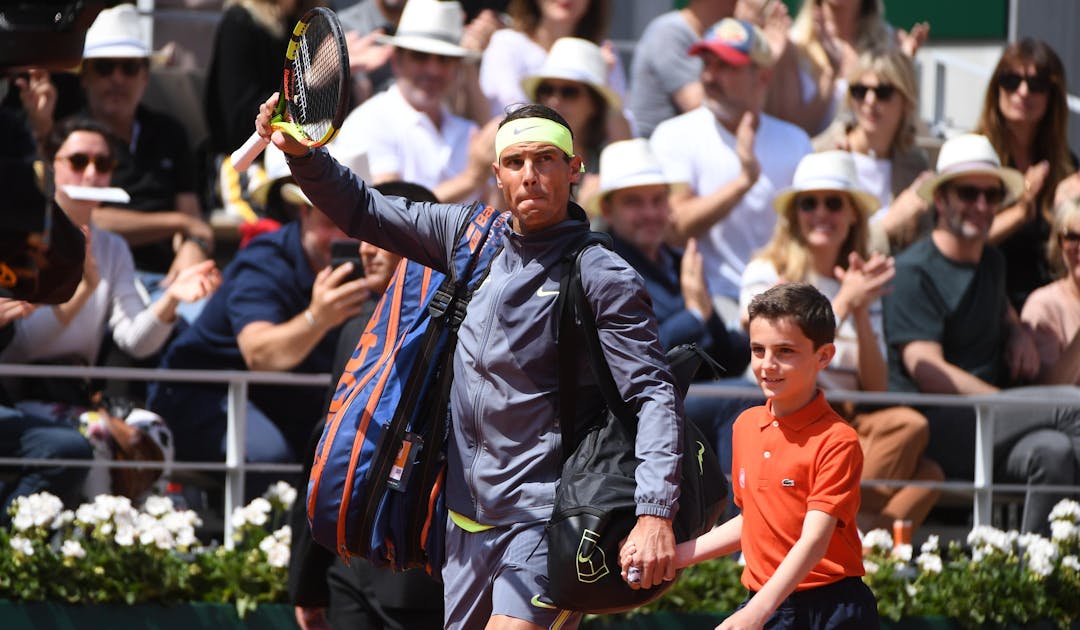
[(595, 504)]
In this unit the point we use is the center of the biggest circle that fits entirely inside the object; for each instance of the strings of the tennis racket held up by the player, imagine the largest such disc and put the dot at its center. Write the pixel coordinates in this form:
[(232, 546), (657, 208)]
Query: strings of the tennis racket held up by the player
[(315, 84)]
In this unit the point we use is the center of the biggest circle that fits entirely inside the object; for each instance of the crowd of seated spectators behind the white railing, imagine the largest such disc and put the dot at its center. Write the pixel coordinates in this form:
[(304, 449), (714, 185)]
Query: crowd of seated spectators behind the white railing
[(741, 148)]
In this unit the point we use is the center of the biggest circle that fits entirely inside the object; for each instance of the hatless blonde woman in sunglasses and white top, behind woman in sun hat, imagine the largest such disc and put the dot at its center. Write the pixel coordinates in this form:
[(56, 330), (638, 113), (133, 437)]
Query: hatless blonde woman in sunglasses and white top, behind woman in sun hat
[(883, 101)]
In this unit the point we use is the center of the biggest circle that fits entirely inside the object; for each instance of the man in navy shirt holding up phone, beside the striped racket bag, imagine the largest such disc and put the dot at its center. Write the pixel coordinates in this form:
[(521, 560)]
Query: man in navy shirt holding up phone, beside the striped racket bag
[(279, 309)]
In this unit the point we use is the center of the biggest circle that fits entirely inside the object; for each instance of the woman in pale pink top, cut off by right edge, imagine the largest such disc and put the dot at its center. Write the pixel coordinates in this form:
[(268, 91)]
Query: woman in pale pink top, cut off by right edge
[(1054, 312)]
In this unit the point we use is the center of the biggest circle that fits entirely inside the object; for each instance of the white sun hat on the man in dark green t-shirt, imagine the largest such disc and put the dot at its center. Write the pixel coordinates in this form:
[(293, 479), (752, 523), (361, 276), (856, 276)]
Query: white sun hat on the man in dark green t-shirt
[(973, 155)]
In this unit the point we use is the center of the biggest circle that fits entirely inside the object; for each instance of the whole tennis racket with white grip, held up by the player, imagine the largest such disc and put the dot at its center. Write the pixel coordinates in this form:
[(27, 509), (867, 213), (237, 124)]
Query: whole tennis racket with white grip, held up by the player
[(315, 88)]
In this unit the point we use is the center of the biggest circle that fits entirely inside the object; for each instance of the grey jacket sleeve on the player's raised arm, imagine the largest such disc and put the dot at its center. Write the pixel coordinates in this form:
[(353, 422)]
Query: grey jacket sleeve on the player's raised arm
[(421, 232)]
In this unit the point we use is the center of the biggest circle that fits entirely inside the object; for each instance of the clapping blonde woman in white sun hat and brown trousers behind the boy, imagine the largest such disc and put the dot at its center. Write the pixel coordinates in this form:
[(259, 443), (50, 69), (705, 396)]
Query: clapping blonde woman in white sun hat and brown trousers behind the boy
[(821, 238)]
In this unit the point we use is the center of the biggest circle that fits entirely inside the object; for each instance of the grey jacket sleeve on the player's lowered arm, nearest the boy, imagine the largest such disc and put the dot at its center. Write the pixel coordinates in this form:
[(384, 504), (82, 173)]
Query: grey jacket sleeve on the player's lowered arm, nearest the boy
[(630, 339)]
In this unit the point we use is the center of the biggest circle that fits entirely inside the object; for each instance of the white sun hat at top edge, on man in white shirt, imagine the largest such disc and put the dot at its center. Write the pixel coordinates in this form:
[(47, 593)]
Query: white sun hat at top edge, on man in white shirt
[(431, 26)]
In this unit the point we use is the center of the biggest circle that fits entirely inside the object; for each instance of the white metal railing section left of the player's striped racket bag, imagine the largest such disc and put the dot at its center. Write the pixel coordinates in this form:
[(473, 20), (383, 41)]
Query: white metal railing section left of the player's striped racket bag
[(235, 466)]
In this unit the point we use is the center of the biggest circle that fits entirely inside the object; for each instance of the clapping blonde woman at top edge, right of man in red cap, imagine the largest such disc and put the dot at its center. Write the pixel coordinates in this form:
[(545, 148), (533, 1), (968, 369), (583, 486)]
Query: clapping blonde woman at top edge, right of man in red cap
[(827, 39)]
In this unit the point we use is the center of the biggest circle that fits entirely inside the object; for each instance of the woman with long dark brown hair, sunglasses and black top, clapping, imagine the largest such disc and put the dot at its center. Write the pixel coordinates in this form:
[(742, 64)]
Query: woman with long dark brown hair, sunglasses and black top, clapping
[(1025, 116)]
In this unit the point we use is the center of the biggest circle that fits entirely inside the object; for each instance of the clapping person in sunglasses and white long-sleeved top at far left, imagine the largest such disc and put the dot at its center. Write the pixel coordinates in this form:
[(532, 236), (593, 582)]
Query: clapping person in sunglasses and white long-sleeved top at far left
[(106, 299)]
